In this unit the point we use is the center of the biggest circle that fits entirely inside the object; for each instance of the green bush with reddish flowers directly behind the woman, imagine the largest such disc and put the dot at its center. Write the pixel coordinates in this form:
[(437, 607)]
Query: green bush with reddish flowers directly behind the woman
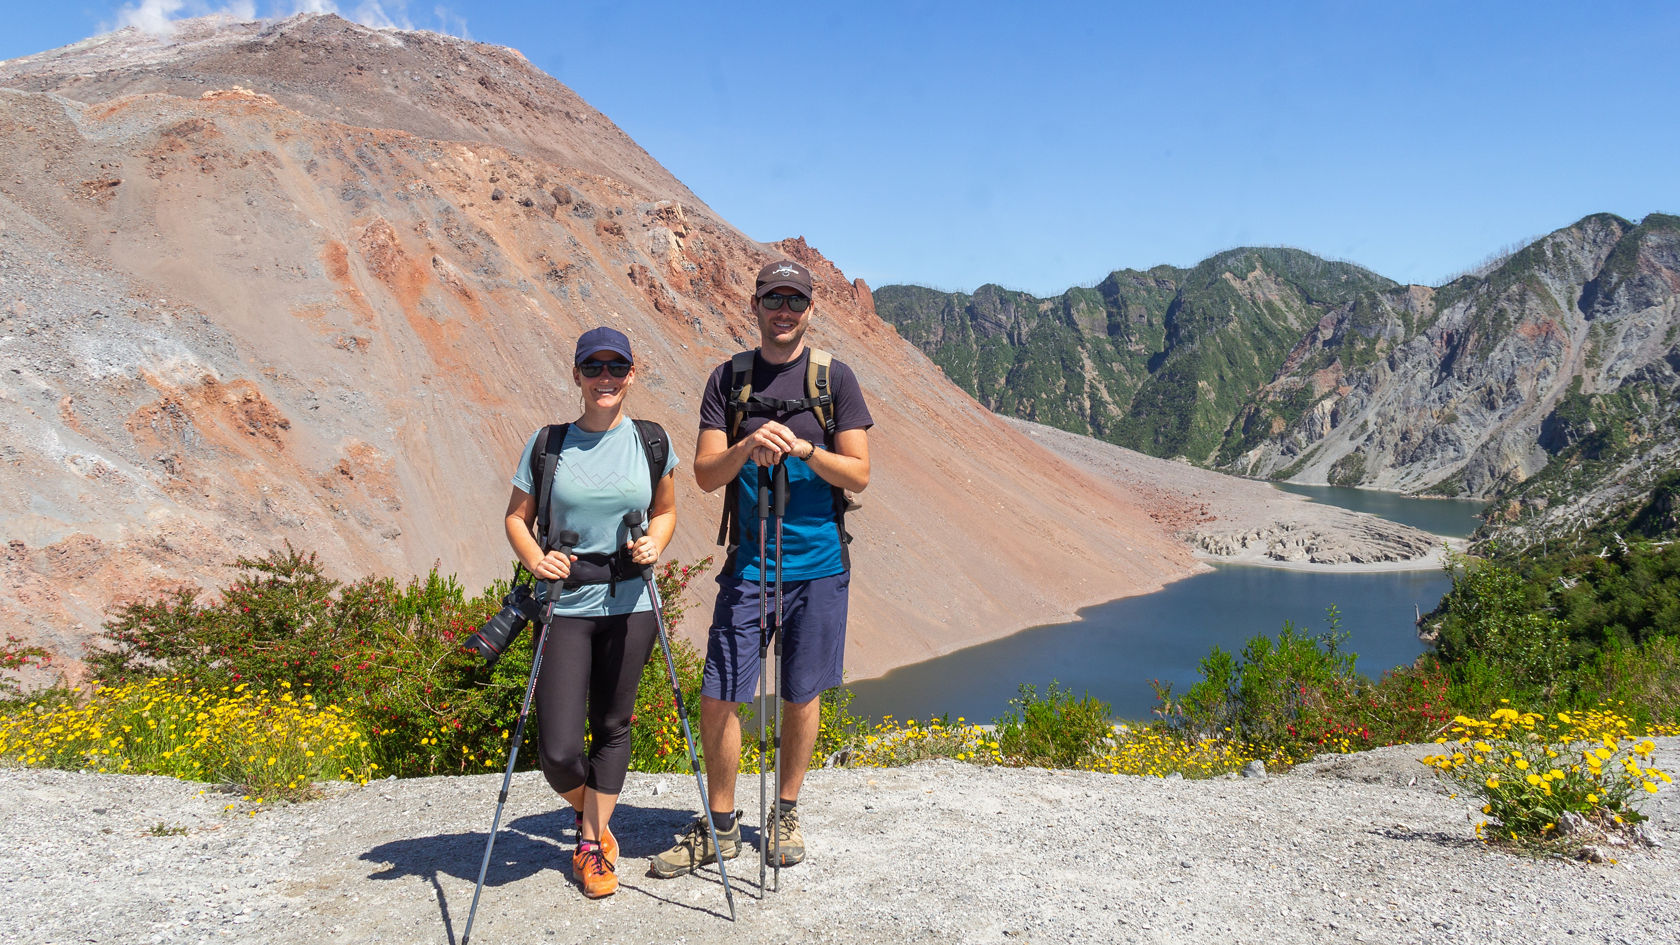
[(389, 655)]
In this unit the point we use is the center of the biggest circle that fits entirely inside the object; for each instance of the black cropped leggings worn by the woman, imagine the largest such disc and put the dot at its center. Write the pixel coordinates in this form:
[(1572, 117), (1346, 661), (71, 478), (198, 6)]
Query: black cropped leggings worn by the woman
[(597, 662)]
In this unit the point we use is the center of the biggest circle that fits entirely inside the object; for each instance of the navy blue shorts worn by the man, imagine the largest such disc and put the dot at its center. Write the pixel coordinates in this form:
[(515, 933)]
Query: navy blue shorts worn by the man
[(814, 620)]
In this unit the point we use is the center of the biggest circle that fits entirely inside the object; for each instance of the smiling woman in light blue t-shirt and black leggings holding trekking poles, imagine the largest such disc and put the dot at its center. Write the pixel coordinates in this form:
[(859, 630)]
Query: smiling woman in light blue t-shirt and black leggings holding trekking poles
[(604, 625)]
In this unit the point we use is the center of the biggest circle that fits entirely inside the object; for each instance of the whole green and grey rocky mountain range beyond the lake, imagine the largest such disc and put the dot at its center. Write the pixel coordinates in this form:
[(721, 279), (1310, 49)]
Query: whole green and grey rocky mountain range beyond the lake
[(1548, 383)]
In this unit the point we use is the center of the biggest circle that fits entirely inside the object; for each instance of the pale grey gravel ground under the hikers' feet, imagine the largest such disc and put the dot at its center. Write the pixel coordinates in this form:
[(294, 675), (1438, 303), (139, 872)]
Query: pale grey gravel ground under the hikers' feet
[(1362, 848)]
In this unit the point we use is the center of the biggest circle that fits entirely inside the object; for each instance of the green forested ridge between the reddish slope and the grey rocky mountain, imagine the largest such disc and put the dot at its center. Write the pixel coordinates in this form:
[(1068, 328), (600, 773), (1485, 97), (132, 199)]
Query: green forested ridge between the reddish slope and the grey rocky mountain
[(1158, 361)]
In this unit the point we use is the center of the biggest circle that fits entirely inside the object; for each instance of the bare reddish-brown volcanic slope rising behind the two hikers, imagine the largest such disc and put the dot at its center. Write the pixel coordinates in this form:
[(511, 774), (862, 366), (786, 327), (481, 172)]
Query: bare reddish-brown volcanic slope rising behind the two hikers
[(315, 283)]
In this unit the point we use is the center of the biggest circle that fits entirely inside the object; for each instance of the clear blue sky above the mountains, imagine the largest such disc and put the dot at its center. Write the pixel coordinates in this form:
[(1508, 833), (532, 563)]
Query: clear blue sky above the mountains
[(1042, 145)]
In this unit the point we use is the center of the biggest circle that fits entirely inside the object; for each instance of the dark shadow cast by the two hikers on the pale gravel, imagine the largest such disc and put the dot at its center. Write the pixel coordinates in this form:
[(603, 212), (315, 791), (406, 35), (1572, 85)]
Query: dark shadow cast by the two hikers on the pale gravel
[(532, 845)]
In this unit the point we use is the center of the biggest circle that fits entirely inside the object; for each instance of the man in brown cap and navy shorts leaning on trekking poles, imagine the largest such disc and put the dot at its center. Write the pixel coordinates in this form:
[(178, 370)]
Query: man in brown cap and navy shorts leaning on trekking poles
[(757, 413)]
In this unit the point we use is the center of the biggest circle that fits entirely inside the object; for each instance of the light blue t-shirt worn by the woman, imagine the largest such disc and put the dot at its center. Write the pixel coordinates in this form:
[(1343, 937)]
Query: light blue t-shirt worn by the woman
[(599, 478)]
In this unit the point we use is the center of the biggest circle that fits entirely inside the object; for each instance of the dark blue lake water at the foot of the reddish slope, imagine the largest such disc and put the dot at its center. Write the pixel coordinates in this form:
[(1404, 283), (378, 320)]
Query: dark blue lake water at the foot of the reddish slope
[(1115, 650)]
